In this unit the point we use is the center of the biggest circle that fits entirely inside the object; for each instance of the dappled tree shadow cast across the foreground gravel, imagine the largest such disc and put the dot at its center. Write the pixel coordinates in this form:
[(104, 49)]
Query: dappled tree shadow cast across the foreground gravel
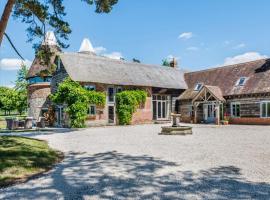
[(113, 174)]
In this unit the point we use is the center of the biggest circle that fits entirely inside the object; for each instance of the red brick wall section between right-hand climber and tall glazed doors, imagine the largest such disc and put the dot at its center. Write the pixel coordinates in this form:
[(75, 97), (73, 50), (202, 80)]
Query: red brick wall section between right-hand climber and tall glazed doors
[(143, 115)]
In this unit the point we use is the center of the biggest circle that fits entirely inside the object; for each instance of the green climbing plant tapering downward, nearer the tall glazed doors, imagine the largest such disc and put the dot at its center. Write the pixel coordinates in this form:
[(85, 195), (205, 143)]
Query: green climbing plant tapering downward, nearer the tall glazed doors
[(126, 104)]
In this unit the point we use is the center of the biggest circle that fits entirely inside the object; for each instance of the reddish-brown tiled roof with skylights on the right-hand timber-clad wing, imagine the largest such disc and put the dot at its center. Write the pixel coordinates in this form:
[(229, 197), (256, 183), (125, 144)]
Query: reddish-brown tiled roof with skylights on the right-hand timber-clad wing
[(257, 75)]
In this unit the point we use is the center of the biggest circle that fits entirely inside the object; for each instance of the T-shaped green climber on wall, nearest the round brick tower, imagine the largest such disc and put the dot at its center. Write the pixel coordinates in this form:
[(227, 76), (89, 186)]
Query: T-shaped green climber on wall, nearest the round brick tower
[(77, 100)]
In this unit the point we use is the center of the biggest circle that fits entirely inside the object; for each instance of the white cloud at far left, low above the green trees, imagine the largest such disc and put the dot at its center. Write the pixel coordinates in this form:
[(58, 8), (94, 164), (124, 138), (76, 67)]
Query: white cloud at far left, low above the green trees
[(13, 63)]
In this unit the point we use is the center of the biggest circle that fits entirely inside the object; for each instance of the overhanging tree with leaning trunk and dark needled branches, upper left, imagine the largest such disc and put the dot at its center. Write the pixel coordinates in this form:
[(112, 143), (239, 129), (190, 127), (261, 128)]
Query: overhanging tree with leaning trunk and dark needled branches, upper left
[(39, 14)]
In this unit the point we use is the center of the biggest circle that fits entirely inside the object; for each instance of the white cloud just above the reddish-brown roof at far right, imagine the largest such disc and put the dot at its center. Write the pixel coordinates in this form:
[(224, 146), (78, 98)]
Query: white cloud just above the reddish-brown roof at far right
[(246, 57)]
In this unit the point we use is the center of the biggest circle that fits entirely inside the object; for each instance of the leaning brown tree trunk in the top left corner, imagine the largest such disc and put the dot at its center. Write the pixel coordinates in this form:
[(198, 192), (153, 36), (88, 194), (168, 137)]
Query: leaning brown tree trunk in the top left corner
[(5, 17)]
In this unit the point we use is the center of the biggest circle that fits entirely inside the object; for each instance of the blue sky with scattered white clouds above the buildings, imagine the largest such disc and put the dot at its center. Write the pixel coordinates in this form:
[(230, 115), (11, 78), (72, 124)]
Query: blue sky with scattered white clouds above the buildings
[(200, 34)]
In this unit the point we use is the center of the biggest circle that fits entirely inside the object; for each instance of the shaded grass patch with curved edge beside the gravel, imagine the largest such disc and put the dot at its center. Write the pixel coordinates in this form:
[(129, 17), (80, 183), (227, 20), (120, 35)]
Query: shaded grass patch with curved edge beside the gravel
[(21, 157)]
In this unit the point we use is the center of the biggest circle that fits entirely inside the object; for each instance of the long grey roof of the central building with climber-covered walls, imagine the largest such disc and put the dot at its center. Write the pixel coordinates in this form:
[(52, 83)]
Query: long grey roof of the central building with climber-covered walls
[(97, 69)]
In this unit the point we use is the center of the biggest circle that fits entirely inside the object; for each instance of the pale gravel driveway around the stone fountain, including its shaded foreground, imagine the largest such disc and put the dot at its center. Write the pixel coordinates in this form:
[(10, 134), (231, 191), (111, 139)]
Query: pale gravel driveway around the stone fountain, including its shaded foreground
[(134, 162)]
